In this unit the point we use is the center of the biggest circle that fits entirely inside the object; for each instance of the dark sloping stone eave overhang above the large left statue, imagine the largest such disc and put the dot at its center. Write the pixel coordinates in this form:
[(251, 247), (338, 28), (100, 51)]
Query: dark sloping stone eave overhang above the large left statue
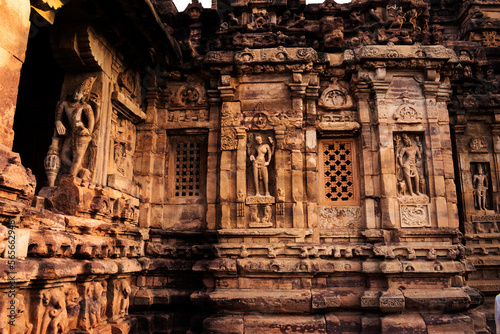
[(133, 27)]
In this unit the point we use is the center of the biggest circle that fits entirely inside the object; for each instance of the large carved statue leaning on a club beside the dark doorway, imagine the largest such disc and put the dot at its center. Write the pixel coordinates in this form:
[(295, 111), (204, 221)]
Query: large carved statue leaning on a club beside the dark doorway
[(75, 120)]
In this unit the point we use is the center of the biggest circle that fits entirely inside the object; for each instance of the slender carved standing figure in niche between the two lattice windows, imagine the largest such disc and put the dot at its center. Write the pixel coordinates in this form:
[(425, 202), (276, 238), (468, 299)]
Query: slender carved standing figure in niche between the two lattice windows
[(260, 154)]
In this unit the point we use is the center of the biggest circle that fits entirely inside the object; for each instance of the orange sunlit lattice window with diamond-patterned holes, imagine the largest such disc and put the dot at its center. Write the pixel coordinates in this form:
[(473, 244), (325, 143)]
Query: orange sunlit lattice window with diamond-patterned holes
[(338, 172)]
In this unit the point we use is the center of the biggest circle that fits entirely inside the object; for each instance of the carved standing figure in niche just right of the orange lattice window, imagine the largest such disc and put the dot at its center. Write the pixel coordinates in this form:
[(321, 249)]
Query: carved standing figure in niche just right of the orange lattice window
[(409, 160)]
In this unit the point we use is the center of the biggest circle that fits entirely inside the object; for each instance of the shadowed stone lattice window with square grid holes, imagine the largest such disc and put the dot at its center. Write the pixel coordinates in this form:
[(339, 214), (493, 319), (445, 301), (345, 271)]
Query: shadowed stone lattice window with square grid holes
[(187, 169)]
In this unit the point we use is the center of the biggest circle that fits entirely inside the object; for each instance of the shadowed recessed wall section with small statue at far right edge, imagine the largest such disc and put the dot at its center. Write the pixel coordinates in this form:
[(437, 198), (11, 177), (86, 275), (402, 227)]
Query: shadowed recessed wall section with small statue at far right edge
[(474, 120)]
